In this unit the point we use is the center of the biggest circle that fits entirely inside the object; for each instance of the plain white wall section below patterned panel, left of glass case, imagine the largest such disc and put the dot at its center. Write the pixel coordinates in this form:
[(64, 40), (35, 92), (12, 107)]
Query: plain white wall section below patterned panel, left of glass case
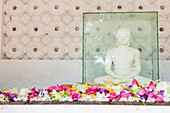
[(40, 73)]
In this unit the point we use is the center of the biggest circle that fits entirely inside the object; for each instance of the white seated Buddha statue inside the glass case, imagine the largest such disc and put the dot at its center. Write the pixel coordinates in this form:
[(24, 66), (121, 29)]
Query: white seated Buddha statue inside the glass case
[(126, 61)]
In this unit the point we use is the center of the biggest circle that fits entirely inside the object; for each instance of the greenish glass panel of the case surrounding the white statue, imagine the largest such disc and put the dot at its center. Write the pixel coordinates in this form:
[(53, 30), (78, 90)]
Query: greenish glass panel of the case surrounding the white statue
[(100, 30)]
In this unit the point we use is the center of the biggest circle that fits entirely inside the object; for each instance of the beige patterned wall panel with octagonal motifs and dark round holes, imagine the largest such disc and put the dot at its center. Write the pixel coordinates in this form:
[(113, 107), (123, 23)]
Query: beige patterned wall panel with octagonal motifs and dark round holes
[(52, 29)]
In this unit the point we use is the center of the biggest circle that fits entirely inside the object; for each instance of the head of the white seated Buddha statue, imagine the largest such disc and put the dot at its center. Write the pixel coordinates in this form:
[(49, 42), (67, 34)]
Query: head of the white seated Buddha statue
[(123, 37)]
